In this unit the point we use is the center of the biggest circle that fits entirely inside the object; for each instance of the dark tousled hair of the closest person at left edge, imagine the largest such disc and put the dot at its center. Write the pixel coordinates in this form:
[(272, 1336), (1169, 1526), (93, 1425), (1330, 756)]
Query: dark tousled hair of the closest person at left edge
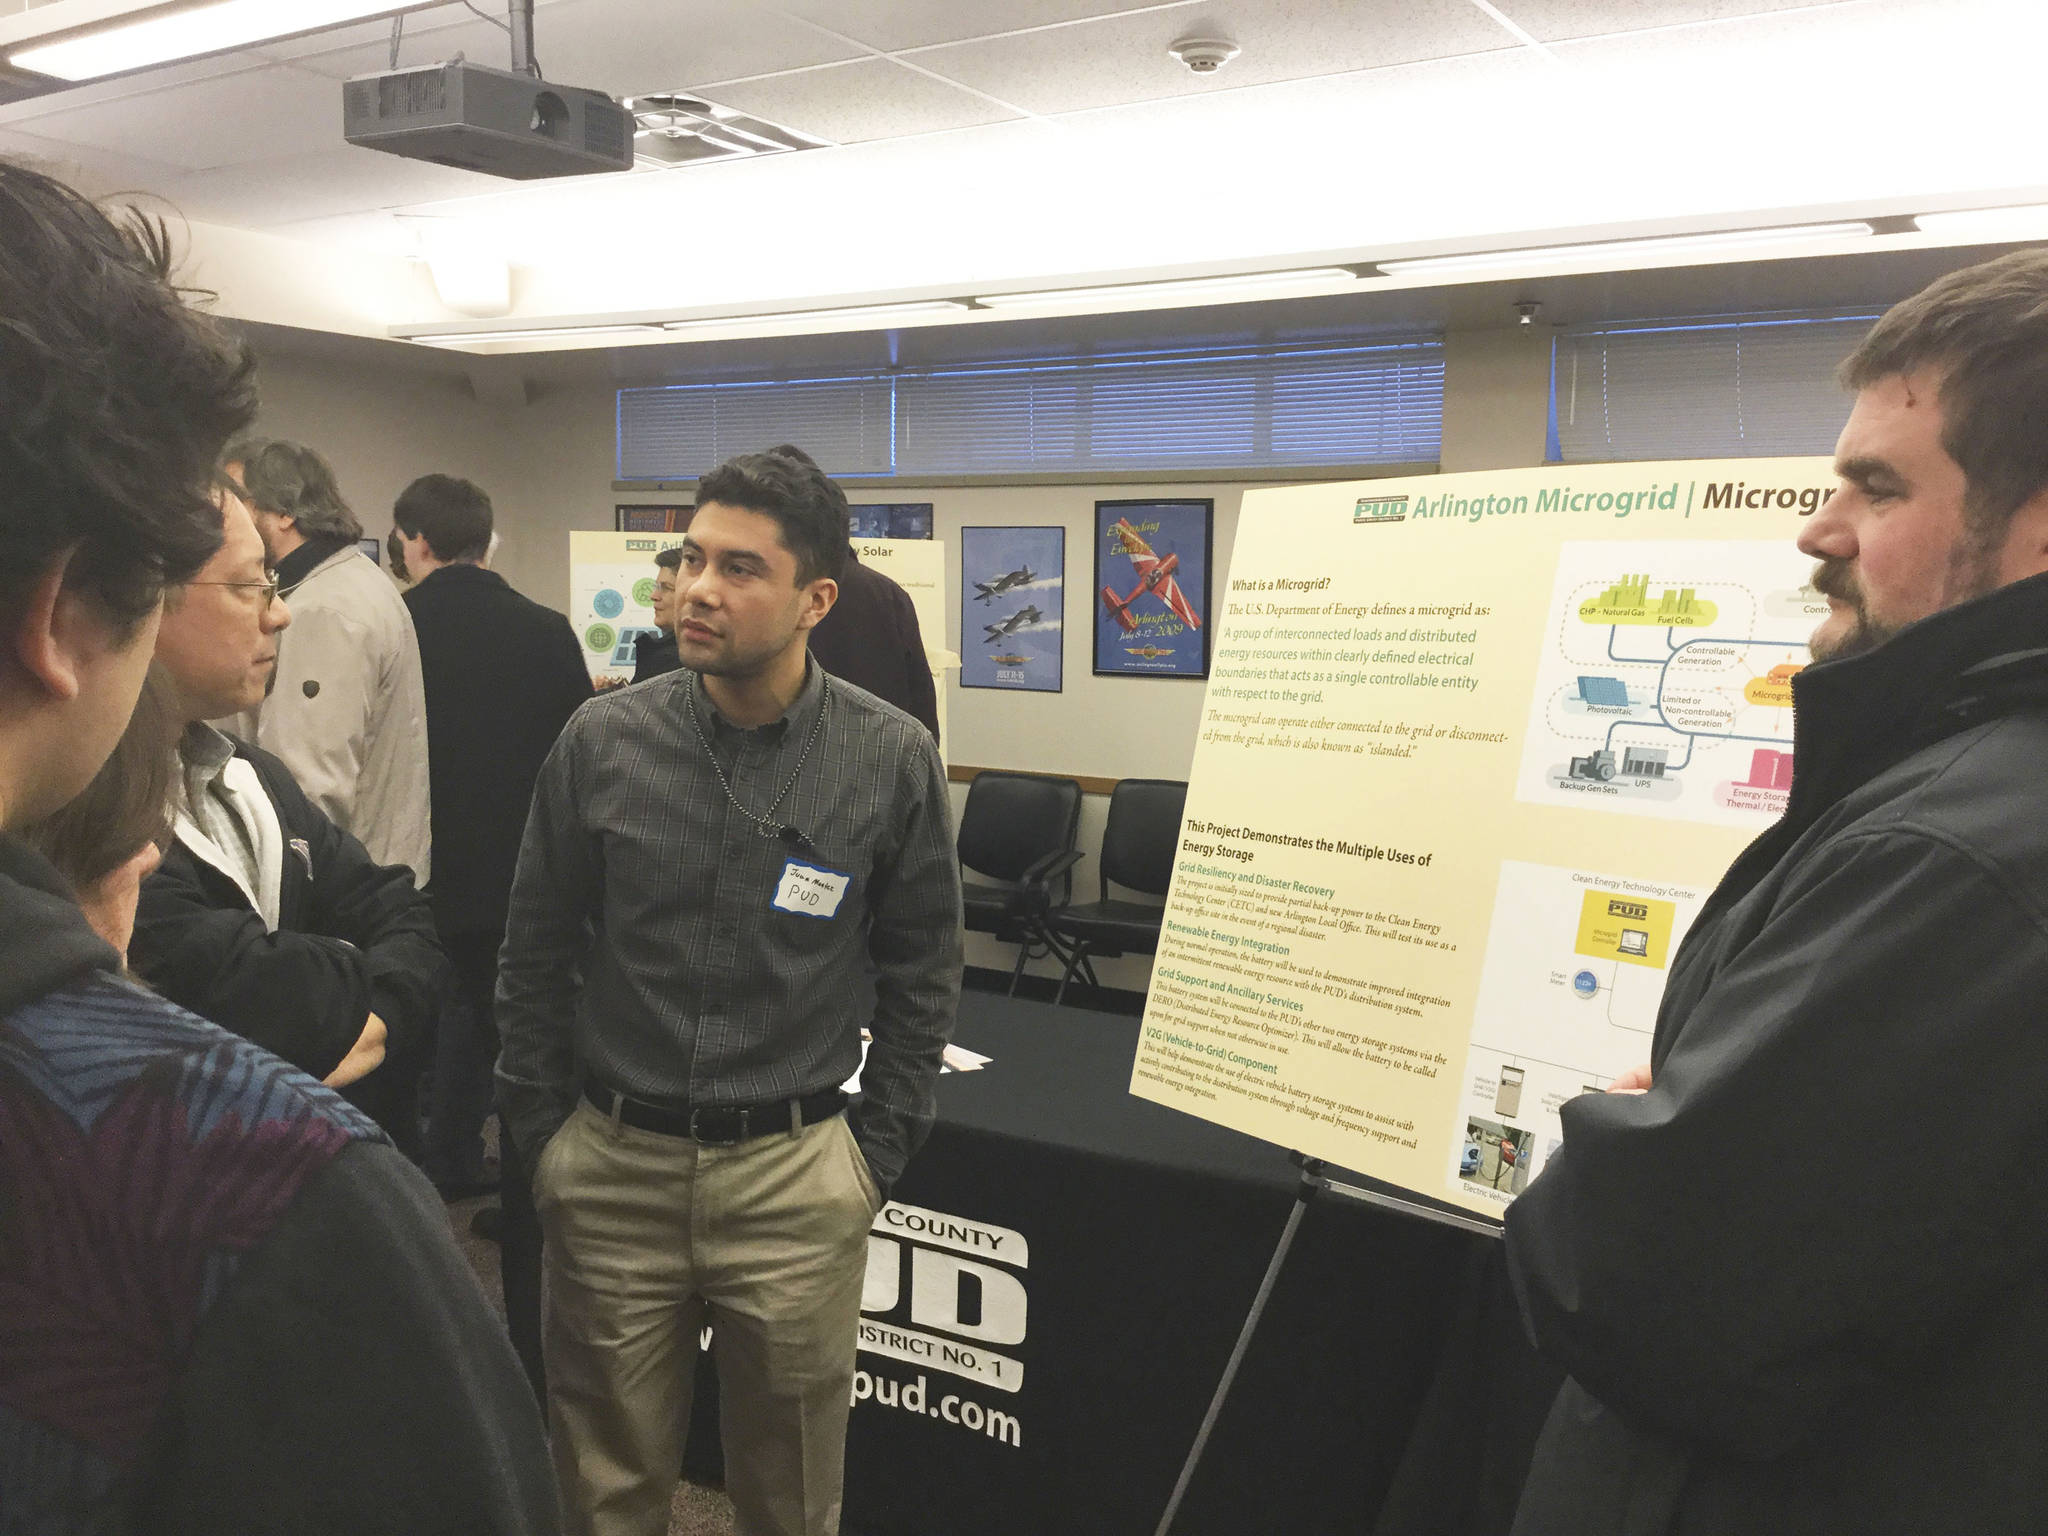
[(116, 400)]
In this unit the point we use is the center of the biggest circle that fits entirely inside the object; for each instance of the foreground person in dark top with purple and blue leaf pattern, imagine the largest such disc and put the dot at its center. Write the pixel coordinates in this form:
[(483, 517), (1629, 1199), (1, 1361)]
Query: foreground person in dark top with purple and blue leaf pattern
[(230, 1304)]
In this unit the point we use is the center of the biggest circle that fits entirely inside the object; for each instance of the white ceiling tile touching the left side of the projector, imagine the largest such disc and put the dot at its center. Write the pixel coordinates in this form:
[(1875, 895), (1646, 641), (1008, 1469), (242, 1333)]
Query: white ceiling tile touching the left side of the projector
[(253, 116)]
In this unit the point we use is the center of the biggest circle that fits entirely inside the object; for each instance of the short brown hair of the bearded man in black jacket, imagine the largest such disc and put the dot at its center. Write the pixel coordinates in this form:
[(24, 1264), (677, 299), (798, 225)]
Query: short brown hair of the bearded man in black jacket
[(1986, 331)]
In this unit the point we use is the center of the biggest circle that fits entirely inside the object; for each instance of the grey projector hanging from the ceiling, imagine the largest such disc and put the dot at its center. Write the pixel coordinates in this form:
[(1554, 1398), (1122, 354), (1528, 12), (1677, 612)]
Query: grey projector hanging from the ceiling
[(488, 120)]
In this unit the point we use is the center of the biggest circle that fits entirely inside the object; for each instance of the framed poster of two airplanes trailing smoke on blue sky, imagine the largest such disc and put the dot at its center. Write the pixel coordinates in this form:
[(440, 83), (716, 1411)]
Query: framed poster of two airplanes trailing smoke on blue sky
[(1013, 607)]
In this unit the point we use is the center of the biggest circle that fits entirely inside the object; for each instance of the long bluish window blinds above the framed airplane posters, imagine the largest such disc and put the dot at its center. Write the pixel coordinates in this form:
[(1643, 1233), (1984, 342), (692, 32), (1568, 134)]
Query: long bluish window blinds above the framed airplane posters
[(1168, 411)]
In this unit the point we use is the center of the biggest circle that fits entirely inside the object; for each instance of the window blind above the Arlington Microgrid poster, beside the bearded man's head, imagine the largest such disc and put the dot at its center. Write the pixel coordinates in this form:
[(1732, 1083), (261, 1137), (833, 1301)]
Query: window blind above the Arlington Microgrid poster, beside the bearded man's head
[(1740, 386)]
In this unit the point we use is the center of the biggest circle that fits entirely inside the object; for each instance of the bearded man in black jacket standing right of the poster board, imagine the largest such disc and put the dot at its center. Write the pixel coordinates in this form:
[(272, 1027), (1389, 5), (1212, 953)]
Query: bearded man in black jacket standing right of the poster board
[(1795, 1275)]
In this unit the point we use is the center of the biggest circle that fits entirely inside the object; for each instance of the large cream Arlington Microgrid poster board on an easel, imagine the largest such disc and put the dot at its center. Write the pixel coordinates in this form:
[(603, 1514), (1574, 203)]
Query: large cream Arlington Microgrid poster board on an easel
[(1474, 753)]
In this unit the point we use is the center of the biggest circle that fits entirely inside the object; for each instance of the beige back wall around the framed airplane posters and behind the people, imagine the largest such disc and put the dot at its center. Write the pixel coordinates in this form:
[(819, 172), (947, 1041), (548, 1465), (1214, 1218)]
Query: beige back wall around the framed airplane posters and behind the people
[(548, 468)]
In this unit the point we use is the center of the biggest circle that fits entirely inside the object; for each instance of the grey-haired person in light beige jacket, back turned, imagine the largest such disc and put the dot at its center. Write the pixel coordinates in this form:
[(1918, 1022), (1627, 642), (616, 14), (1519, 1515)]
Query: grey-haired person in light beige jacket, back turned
[(347, 712)]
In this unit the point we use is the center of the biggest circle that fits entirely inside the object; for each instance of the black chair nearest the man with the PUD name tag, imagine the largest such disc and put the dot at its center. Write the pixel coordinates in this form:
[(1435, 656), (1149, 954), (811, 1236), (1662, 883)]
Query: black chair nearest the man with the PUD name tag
[(1019, 835)]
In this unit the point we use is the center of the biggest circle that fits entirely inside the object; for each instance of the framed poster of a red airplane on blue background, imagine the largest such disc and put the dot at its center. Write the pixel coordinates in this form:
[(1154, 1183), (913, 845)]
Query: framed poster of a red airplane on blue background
[(1152, 589)]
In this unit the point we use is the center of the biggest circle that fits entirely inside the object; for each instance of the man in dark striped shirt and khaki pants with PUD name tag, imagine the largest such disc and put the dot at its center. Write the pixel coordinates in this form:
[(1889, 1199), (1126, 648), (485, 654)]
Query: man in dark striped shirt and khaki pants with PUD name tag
[(716, 865)]
